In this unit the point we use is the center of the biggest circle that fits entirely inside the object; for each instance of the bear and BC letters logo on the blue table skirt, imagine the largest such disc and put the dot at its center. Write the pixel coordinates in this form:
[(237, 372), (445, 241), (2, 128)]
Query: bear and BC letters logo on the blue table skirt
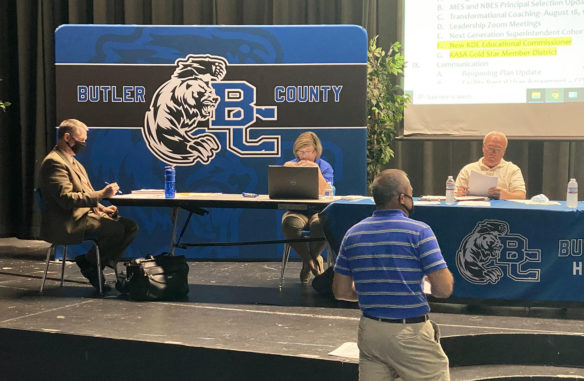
[(490, 251)]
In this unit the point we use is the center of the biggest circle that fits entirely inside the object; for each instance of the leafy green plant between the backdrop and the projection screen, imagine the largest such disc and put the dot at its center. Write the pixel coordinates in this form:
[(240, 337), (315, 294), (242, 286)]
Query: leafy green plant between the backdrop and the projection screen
[(385, 104)]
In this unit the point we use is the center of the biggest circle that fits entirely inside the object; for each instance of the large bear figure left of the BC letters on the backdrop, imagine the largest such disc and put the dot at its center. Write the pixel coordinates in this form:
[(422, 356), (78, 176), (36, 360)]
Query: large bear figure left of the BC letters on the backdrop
[(179, 105)]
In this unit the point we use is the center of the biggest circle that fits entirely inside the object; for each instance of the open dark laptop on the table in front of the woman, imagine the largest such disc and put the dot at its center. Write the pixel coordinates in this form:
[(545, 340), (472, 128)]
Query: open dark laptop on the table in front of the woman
[(292, 182)]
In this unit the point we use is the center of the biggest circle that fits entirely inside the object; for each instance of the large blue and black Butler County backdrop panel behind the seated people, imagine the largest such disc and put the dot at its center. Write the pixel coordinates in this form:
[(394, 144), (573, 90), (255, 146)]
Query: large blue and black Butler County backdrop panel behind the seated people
[(218, 103)]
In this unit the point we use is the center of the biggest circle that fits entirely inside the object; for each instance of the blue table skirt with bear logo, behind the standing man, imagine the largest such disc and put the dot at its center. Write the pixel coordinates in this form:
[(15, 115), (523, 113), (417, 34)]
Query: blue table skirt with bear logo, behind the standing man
[(507, 251)]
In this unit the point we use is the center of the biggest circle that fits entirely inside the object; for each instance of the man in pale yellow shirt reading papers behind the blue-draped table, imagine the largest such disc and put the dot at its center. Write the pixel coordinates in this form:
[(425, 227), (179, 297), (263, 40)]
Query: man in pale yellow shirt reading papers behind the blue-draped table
[(475, 177)]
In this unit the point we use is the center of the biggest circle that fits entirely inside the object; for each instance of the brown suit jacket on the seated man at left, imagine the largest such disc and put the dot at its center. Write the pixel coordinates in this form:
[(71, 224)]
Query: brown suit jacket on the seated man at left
[(66, 201)]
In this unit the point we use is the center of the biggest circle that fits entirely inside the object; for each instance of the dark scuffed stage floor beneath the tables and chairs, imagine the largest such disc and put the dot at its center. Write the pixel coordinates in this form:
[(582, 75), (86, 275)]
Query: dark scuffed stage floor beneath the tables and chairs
[(239, 306)]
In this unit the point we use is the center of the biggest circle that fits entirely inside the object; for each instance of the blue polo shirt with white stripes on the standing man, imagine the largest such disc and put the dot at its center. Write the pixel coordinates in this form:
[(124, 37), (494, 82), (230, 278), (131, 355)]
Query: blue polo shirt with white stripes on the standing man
[(388, 255)]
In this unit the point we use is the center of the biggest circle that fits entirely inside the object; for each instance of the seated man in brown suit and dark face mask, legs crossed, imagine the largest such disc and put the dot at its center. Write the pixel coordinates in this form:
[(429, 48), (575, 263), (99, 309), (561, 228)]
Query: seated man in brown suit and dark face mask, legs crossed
[(71, 208)]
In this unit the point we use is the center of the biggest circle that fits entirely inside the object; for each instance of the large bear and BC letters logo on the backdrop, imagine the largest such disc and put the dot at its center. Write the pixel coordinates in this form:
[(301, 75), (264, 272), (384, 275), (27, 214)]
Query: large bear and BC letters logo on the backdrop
[(195, 93)]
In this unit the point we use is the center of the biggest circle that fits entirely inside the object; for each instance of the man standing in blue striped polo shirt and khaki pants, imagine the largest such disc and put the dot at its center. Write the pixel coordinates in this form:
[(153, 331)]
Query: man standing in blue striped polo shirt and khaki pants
[(382, 264)]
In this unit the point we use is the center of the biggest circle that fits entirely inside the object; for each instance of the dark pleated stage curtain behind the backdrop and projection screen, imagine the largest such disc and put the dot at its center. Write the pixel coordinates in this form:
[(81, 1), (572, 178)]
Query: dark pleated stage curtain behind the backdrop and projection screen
[(27, 69)]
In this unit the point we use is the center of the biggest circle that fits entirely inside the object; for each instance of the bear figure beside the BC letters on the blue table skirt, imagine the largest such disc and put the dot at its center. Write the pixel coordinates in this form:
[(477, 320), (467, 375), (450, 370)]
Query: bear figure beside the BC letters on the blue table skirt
[(478, 252)]
